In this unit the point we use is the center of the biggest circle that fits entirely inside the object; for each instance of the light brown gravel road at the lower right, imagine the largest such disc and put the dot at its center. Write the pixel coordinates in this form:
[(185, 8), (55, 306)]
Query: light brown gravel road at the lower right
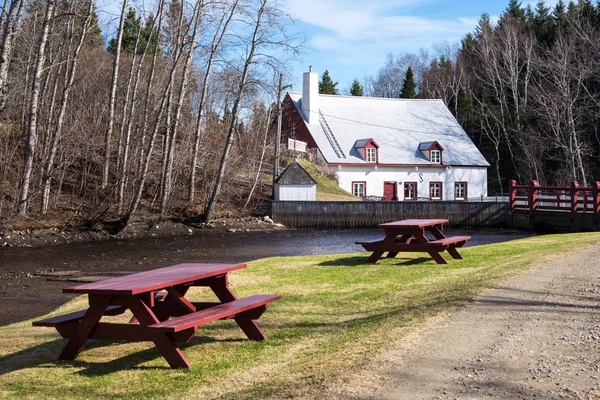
[(535, 337)]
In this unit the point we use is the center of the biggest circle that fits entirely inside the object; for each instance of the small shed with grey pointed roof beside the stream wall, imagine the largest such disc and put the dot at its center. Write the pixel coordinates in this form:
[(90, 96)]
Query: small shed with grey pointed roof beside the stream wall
[(295, 184)]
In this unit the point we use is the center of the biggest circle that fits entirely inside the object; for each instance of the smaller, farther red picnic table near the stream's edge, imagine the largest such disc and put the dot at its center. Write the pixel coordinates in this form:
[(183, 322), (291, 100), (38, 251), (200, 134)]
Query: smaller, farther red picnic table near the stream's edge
[(410, 235)]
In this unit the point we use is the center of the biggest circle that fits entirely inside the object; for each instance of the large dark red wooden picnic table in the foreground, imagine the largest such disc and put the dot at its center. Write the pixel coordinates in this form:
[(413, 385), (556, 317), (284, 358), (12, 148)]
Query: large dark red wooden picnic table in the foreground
[(161, 313)]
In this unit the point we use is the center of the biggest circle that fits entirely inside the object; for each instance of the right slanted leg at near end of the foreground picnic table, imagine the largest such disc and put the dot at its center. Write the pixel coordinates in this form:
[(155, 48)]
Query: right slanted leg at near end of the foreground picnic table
[(165, 345)]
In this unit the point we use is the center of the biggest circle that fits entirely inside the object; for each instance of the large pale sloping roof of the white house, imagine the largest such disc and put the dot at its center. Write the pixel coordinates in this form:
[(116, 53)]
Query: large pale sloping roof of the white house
[(399, 126)]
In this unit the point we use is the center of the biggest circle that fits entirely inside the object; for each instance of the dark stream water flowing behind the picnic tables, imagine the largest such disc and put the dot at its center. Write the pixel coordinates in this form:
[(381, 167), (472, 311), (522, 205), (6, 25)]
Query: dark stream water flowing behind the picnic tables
[(26, 294)]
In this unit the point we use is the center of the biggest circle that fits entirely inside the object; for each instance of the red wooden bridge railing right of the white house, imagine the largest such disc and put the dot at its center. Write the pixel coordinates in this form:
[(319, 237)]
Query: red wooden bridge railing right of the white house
[(573, 199)]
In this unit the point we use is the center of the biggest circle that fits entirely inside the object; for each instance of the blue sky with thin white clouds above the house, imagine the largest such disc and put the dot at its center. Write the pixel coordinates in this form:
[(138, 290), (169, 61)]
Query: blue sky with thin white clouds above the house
[(351, 38)]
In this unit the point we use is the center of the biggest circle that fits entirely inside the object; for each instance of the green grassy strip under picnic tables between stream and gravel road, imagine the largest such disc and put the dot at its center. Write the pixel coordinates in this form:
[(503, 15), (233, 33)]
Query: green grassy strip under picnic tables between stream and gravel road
[(337, 316)]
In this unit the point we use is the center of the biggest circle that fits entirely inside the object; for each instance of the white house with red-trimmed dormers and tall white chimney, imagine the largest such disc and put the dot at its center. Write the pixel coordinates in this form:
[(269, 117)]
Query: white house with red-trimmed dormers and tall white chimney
[(397, 149)]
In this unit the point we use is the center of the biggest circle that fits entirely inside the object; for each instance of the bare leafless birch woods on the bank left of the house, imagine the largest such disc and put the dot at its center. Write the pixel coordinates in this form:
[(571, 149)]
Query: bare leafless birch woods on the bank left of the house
[(171, 117)]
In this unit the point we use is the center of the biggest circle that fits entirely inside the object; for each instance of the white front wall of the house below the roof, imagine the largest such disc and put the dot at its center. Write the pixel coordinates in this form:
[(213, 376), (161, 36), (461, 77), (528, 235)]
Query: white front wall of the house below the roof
[(476, 178)]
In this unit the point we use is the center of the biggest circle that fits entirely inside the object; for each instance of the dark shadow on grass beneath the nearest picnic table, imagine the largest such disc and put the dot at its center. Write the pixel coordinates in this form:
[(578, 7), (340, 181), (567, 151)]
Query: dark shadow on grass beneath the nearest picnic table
[(47, 353)]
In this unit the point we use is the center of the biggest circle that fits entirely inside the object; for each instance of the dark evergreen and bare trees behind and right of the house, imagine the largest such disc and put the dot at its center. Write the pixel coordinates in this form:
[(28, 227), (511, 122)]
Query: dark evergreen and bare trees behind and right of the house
[(526, 88)]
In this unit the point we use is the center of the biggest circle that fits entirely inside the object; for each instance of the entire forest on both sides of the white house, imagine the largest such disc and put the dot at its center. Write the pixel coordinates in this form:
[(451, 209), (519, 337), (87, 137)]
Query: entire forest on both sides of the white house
[(174, 113)]
